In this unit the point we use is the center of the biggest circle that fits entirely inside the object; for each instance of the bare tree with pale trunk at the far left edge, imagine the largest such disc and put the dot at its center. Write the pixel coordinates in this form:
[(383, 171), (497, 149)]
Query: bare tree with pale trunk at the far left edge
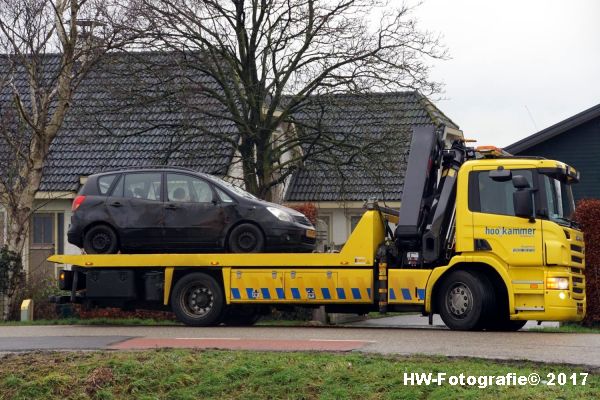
[(48, 48)]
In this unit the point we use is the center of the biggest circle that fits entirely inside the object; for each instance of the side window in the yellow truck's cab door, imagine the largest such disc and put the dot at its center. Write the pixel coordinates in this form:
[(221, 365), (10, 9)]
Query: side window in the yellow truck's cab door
[(493, 197)]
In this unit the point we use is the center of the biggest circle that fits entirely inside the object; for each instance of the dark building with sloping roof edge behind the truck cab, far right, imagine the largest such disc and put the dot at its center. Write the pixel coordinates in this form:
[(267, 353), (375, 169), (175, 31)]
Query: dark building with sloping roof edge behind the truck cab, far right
[(575, 141)]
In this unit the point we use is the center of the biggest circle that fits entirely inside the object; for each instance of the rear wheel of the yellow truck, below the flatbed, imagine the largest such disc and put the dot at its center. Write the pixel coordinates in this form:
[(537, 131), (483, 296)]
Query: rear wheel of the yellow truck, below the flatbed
[(197, 300)]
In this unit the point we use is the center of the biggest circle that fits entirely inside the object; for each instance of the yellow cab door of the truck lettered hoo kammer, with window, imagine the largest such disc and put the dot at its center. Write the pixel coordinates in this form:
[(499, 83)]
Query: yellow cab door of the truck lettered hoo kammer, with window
[(515, 240)]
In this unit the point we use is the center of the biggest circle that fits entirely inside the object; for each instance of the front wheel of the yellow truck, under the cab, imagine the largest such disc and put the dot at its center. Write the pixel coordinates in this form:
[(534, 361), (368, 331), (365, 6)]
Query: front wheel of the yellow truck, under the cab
[(465, 301)]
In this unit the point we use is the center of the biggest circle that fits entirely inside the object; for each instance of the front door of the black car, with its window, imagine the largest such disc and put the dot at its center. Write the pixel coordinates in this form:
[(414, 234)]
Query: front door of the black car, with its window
[(193, 217)]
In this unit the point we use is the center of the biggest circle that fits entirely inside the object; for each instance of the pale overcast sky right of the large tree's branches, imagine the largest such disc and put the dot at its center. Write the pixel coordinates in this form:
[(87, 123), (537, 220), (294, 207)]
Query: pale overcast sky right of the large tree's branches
[(517, 66)]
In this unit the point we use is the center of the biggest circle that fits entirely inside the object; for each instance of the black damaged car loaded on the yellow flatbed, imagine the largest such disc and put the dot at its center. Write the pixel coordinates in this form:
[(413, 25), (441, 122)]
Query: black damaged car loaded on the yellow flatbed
[(180, 210)]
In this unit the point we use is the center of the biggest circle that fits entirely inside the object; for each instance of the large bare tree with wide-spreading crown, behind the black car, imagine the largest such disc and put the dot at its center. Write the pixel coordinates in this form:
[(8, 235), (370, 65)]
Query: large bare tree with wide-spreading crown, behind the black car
[(272, 59)]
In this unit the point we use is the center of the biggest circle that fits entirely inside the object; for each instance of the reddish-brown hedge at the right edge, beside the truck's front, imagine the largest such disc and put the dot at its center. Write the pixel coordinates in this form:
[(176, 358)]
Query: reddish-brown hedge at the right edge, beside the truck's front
[(588, 217)]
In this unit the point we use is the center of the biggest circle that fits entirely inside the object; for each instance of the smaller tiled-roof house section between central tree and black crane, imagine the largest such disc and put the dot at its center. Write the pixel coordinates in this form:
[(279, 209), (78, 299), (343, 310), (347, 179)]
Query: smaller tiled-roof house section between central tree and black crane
[(384, 120)]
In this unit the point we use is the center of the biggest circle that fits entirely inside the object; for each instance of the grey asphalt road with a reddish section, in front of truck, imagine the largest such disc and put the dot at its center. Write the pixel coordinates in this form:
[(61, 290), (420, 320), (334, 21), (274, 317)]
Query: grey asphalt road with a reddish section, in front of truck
[(570, 348)]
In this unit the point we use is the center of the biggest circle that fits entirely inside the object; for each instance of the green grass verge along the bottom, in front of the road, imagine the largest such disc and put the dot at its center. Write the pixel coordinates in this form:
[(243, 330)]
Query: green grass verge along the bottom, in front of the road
[(196, 374)]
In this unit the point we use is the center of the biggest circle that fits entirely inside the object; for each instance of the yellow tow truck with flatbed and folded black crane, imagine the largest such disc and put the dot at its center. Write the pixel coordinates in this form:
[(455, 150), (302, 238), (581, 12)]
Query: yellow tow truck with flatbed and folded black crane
[(482, 238)]
